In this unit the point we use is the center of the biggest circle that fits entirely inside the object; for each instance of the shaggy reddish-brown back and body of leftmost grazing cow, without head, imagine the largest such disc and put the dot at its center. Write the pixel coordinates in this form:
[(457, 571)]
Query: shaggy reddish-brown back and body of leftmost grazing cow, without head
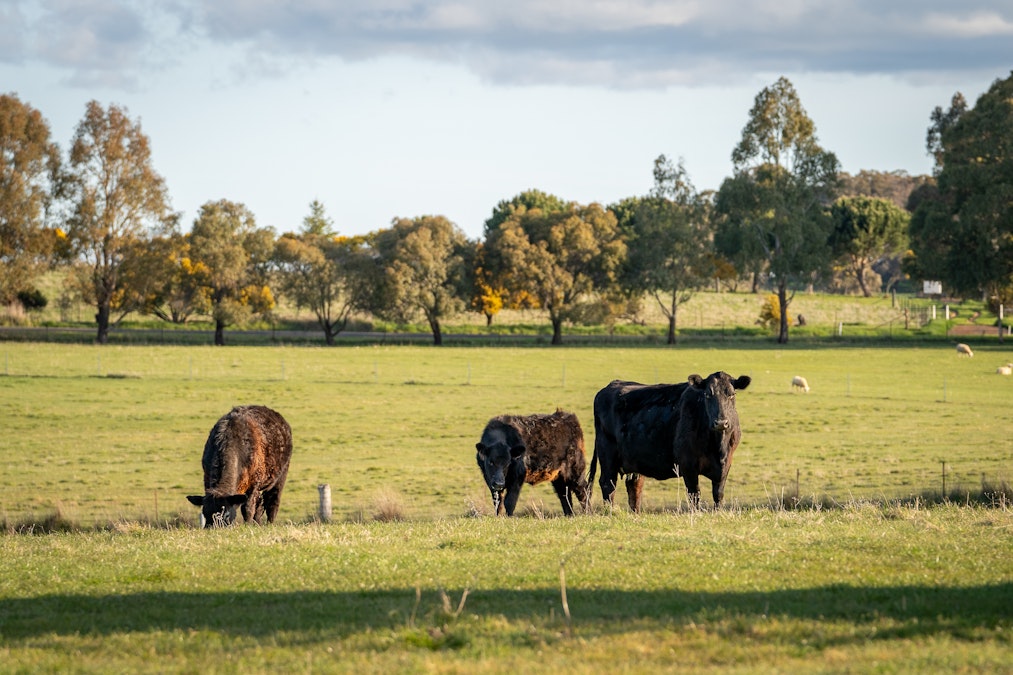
[(249, 447)]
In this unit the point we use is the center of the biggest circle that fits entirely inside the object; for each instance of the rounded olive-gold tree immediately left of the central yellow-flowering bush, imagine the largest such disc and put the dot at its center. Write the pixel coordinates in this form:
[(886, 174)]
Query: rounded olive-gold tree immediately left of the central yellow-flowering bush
[(426, 269)]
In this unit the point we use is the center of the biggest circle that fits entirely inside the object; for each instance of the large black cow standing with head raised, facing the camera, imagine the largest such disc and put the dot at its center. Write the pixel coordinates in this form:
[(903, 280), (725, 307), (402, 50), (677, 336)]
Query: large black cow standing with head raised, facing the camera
[(667, 431)]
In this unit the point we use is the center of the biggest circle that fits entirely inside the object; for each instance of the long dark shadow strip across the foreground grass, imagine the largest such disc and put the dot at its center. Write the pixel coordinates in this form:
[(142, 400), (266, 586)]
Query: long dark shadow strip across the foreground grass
[(908, 612)]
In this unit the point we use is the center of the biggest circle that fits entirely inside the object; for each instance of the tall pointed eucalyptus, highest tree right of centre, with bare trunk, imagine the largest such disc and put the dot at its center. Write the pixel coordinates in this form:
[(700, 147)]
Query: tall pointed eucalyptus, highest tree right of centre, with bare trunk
[(776, 202)]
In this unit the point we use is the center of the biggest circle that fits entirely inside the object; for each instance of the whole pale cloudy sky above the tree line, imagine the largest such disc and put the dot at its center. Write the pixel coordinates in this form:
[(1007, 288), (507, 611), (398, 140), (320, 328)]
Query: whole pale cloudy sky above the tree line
[(385, 109)]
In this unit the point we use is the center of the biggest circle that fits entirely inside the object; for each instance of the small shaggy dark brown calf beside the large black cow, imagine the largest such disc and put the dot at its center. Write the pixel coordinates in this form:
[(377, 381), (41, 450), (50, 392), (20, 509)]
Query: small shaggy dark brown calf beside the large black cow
[(533, 448)]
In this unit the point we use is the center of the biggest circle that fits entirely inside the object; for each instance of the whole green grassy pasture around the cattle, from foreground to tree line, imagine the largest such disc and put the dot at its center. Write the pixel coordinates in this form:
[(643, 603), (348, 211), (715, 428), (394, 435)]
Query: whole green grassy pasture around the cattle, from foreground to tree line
[(864, 576)]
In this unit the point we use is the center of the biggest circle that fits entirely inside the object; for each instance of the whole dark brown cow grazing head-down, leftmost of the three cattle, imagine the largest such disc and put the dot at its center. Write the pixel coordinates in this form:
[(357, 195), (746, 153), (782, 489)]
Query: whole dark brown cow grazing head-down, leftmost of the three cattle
[(246, 463)]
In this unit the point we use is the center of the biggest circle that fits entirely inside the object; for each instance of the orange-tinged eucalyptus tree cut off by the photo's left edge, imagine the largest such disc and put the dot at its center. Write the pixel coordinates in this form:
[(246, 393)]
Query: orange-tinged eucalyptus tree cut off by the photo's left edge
[(30, 182)]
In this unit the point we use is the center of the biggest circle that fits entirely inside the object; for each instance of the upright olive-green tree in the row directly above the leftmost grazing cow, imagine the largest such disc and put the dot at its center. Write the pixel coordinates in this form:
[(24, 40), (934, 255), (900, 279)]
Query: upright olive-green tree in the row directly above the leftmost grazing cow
[(232, 255)]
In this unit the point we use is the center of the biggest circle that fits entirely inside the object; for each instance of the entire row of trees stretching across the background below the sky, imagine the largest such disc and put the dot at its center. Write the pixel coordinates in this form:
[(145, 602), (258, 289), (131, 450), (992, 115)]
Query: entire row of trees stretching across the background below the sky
[(788, 219)]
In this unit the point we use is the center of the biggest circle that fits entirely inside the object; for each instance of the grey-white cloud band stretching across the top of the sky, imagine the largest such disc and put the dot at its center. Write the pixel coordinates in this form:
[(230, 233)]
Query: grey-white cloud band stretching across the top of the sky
[(613, 44)]
